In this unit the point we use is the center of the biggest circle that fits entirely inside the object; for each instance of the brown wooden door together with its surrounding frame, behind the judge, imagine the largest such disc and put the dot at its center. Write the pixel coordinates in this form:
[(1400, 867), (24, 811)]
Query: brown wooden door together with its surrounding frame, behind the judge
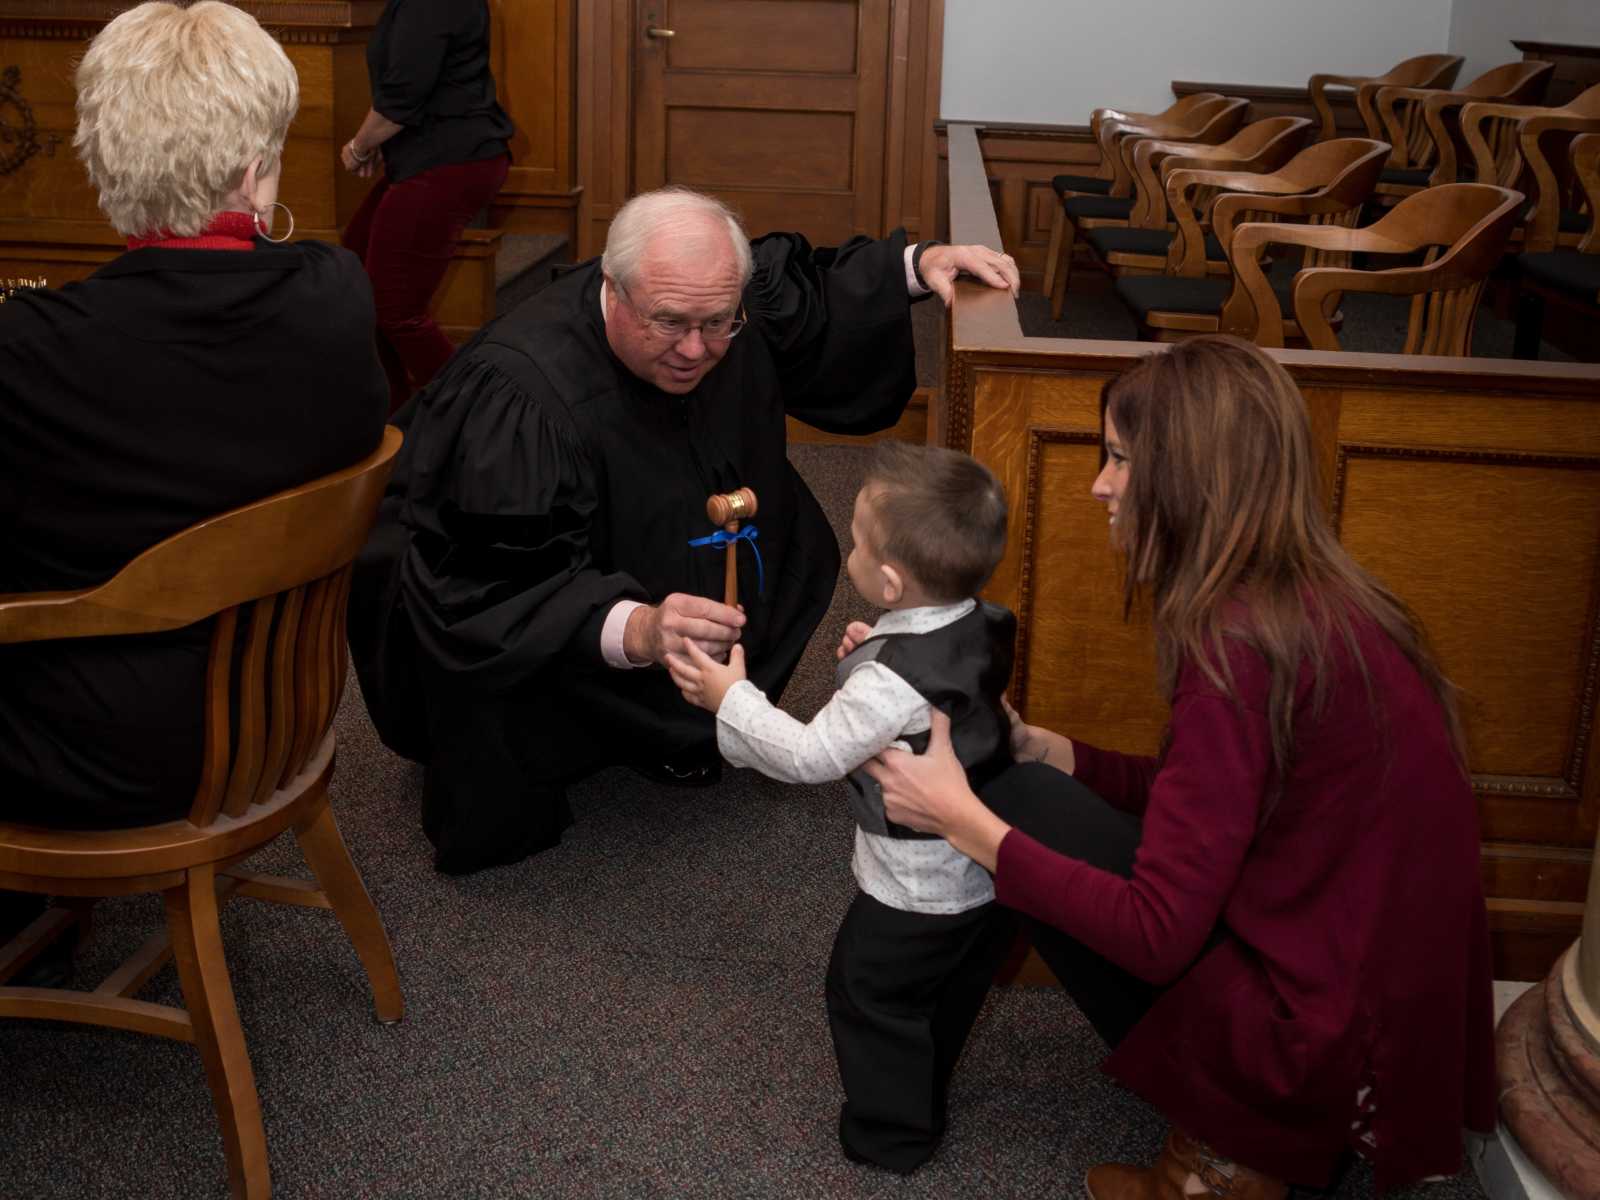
[(756, 74)]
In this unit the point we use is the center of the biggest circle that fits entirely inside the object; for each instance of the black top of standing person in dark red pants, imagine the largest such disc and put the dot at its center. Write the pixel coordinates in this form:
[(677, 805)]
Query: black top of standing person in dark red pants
[(430, 70)]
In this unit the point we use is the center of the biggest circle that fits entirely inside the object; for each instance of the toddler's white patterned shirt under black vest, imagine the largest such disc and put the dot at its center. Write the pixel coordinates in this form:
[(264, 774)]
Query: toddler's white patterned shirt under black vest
[(870, 713)]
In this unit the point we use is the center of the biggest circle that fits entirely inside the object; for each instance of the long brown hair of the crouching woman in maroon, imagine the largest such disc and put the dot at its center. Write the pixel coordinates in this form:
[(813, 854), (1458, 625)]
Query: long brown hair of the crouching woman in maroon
[(1225, 529)]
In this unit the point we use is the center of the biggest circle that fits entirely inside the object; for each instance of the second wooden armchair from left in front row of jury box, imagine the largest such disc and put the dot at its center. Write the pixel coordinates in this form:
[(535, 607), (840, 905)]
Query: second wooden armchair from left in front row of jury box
[(1142, 249)]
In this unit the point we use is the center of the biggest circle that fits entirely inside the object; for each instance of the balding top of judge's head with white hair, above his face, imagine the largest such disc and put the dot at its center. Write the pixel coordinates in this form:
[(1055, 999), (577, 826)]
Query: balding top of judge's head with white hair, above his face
[(673, 223)]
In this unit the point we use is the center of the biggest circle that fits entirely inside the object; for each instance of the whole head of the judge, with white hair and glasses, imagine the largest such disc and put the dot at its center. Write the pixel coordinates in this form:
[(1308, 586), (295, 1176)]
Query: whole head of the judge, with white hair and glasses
[(678, 263)]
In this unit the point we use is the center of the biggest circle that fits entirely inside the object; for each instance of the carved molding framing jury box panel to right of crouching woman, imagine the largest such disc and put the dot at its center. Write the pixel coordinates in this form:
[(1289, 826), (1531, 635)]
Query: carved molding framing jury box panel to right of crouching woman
[(1570, 785)]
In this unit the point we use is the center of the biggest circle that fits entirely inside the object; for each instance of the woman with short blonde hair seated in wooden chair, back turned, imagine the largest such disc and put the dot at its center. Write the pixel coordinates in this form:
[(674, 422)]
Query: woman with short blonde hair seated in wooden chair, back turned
[(207, 367)]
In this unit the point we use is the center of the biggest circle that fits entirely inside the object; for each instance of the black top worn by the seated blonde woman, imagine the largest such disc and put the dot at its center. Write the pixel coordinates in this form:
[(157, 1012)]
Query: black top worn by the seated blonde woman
[(167, 388)]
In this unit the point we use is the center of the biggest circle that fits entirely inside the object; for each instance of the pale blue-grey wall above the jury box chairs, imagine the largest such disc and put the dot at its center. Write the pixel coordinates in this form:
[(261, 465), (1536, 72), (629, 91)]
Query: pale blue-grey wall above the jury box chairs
[(1054, 62)]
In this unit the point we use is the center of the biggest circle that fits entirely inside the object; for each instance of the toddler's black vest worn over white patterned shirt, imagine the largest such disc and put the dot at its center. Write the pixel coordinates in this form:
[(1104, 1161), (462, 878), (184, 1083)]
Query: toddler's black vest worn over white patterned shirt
[(962, 668)]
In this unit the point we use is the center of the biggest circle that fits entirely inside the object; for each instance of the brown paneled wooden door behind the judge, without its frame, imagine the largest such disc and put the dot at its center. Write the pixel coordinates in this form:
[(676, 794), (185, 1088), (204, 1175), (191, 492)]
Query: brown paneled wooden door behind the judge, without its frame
[(777, 106)]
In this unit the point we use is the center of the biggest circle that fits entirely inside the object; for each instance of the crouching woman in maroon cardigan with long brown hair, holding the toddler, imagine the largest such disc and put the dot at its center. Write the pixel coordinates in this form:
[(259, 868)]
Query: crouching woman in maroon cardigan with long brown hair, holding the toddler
[(1278, 924)]
